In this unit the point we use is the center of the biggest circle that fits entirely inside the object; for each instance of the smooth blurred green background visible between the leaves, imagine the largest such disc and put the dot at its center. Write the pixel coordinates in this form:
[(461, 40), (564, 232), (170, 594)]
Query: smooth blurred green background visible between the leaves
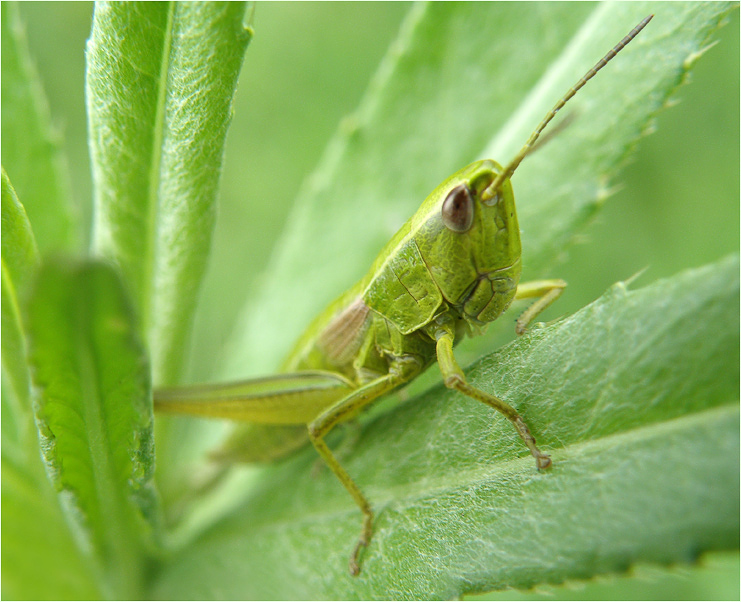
[(308, 66)]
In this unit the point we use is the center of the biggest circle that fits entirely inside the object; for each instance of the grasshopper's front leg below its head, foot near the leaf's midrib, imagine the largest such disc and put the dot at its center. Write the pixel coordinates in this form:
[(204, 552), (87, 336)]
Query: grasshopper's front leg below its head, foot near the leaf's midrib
[(454, 378)]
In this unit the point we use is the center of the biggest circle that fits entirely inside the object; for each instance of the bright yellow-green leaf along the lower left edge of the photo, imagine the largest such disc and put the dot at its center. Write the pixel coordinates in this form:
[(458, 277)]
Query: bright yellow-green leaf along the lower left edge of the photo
[(33, 529)]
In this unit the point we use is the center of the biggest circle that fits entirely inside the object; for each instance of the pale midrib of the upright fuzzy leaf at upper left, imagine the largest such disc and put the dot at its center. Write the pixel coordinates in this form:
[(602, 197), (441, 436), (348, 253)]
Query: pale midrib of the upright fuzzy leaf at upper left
[(155, 174)]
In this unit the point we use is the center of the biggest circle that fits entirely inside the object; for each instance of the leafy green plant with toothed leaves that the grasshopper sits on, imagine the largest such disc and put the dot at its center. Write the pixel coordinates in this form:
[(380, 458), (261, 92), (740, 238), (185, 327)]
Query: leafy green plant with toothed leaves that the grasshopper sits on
[(635, 395)]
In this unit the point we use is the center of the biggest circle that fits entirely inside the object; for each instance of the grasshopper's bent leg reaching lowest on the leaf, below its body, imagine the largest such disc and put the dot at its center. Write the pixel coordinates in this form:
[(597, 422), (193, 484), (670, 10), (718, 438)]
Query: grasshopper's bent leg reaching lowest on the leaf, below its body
[(401, 370)]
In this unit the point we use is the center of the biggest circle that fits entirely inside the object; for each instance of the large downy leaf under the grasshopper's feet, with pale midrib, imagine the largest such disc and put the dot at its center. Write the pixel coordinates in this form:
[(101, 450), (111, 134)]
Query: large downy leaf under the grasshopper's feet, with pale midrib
[(636, 398)]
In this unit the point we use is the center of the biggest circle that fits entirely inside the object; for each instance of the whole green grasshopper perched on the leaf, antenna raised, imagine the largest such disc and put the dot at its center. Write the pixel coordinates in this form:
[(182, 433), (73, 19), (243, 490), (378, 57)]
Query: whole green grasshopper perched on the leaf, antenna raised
[(450, 270)]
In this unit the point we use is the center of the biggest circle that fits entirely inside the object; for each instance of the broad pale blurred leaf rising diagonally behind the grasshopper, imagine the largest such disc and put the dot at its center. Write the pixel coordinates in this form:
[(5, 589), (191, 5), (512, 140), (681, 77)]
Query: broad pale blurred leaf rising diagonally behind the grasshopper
[(465, 81)]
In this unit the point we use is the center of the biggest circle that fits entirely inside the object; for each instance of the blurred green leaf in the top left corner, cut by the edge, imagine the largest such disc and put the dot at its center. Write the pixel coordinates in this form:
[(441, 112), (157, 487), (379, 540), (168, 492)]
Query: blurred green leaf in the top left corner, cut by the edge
[(31, 147)]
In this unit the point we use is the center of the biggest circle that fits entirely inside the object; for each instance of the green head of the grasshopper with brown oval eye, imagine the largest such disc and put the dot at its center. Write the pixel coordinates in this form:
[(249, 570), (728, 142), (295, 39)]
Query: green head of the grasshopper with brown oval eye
[(471, 243)]
